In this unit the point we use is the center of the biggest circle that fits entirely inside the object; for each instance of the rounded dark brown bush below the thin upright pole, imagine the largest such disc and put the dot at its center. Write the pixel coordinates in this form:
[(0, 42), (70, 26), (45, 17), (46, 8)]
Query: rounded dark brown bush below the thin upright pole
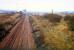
[(53, 17)]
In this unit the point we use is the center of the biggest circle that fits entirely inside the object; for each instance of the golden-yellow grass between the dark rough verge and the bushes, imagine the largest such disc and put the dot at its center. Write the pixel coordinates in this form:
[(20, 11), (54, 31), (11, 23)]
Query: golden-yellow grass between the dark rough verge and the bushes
[(55, 36)]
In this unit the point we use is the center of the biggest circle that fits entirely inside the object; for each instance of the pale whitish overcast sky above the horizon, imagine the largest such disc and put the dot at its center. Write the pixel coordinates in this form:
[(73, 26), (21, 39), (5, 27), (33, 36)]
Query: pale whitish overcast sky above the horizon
[(38, 5)]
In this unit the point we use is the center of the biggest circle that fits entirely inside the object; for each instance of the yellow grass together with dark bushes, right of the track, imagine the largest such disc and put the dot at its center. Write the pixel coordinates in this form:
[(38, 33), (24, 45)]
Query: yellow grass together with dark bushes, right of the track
[(56, 37)]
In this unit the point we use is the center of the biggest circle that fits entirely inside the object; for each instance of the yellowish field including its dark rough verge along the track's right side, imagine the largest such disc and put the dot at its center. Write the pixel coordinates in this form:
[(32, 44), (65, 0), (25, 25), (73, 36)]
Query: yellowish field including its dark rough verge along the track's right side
[(52, 35)]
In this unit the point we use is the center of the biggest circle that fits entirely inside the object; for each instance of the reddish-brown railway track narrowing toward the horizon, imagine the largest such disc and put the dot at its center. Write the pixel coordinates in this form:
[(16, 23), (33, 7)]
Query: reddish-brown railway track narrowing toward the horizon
[(20, 36)]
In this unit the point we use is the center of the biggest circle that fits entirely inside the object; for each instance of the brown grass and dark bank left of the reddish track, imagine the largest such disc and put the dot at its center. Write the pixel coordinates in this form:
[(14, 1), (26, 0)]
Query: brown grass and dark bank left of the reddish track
[(7, 21)]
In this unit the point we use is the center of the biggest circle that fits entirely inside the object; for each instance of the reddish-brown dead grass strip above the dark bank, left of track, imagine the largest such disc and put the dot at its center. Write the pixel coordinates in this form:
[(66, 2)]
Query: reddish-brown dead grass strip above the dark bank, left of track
[(7, 18)]
